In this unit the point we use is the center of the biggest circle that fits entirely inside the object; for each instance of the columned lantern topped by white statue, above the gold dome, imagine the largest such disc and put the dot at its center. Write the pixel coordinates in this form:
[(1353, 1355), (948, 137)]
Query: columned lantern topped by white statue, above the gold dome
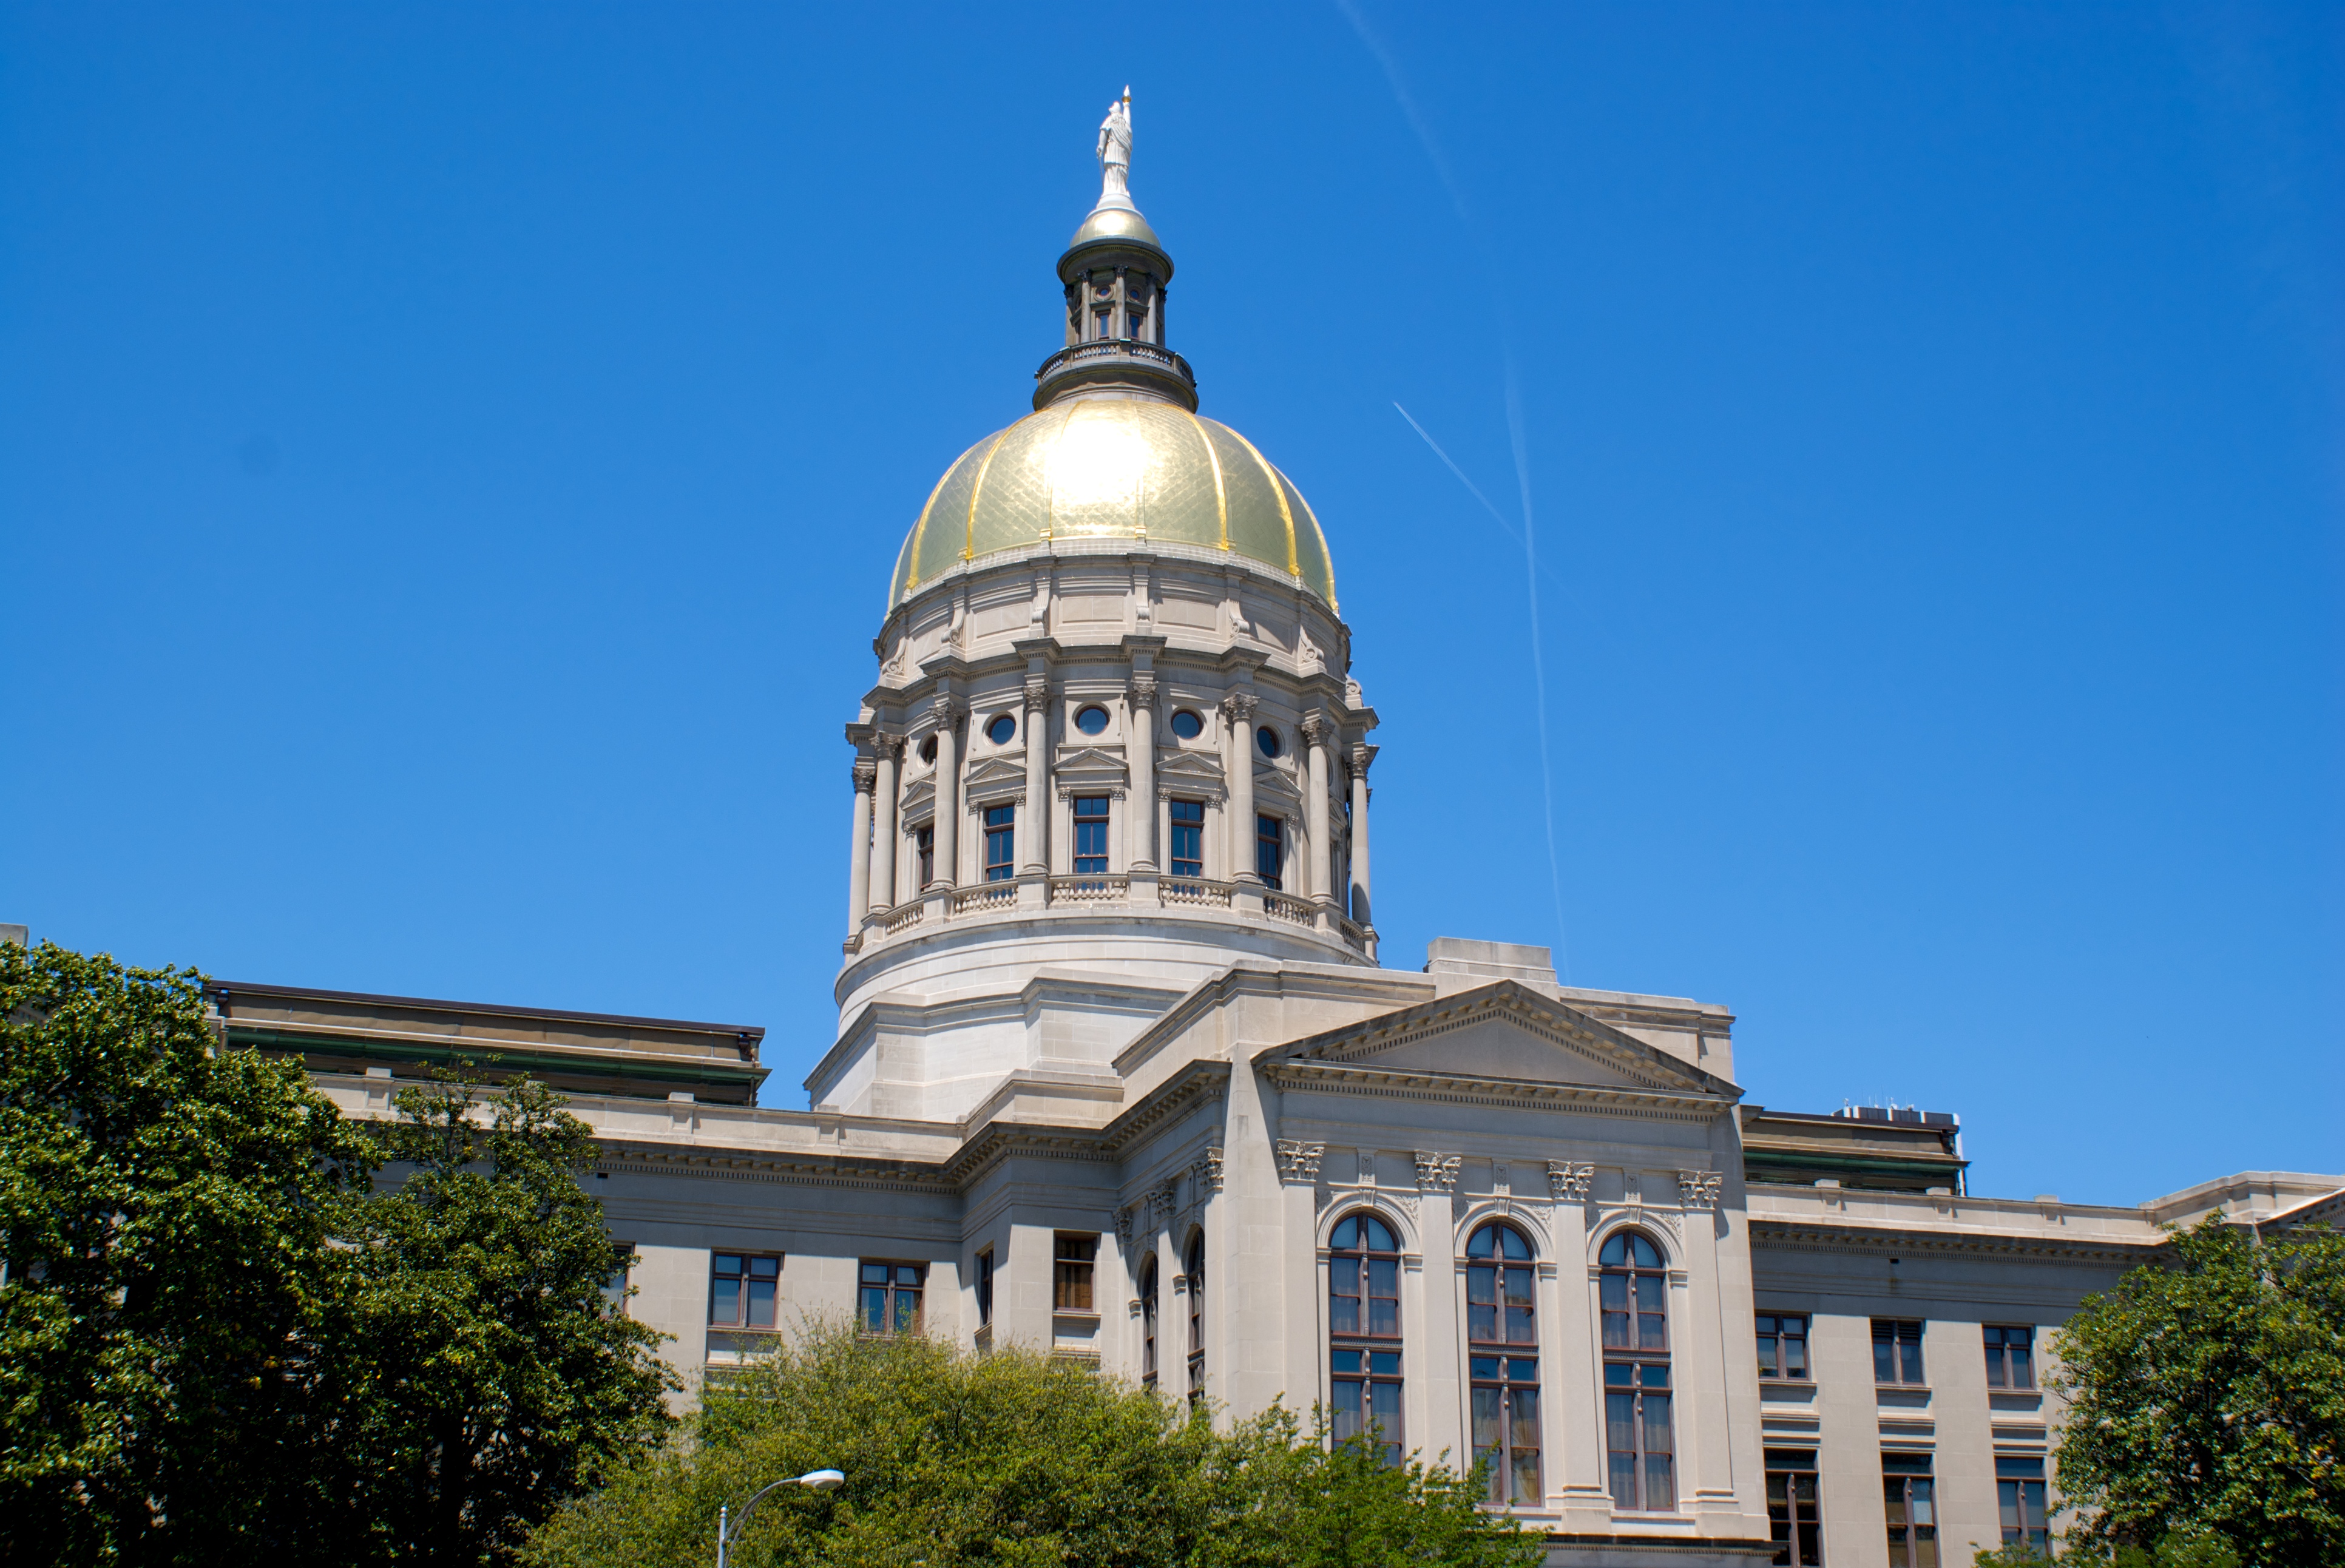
[(1115, 275)]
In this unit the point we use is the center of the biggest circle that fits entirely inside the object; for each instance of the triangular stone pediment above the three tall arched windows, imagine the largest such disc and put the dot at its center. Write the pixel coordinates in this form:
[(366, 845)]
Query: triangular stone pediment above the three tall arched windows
[(1511, 1035)]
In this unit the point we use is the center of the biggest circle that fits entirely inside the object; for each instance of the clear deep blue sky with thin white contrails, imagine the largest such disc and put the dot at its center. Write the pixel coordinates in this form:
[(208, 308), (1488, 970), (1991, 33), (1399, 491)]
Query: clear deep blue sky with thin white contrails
[(451, 463)]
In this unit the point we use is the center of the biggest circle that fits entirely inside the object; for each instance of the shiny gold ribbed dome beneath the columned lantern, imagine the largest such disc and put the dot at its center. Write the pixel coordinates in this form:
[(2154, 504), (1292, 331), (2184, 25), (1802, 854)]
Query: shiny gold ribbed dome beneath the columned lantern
[(1115, 470)]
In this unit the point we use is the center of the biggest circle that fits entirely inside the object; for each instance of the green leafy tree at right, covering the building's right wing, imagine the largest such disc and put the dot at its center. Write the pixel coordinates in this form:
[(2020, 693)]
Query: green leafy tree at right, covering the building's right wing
[(2208, 1403)]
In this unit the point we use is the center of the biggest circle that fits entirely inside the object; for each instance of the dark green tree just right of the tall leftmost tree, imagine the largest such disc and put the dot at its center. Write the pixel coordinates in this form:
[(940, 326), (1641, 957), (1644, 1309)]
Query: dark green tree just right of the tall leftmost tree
[(494, 1379)]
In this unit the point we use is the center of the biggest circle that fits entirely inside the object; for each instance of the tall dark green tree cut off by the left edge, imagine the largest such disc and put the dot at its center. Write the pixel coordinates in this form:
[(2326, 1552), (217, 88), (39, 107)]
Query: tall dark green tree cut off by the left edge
[(165, 1218)]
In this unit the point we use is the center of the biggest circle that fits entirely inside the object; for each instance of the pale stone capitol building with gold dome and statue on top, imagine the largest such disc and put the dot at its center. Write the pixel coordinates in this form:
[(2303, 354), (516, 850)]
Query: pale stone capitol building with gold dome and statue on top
[(1124, 1072)]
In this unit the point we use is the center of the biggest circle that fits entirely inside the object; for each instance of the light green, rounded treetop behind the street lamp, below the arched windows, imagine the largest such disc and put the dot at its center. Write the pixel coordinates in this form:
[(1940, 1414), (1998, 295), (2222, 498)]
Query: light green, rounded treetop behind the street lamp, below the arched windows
[(1012, 1459)]
